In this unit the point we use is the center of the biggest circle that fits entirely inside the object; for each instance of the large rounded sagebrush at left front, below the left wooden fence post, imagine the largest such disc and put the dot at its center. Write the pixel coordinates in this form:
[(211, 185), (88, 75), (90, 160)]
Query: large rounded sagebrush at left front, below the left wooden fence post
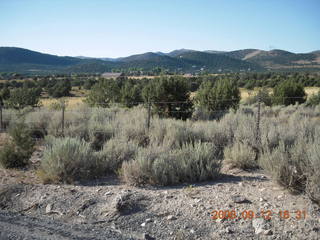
[(67, 160)]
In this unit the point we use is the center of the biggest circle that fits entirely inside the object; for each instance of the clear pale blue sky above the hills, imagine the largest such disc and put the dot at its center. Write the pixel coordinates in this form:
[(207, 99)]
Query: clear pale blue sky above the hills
[(115, 28)]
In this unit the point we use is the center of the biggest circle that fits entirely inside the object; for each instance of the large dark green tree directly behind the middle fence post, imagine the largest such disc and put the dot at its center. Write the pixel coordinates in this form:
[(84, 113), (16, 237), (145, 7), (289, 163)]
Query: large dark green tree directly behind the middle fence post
[(170, 97)]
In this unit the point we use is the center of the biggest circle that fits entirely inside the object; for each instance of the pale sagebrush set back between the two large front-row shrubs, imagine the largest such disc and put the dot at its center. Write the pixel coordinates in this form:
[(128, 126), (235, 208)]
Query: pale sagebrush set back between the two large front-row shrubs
[(114, 153)]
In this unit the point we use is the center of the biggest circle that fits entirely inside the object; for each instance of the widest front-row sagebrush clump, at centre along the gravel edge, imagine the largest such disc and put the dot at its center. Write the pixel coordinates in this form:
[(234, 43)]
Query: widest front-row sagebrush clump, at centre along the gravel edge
[(191, 163)]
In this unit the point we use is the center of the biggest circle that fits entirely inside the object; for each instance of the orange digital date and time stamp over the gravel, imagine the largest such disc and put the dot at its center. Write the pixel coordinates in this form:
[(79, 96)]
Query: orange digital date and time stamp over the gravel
[(250, 214)]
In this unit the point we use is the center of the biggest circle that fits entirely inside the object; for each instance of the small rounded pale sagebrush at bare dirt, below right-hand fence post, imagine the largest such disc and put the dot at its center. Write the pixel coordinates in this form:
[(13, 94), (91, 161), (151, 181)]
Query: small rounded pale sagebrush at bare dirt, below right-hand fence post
[(241, 155)]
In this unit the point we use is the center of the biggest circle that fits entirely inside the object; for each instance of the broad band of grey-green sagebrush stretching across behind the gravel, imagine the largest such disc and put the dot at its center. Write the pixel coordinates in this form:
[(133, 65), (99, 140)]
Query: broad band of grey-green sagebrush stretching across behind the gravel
[(175, 151)]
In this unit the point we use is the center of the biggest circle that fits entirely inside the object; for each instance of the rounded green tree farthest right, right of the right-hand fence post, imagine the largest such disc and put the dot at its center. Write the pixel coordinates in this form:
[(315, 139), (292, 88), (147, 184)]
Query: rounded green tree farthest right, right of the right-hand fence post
[(288, 92)]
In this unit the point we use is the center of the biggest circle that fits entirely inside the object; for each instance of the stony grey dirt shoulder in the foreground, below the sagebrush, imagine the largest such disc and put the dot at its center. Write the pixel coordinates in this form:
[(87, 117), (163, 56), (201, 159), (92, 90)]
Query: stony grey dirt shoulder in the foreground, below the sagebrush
[(109, 209)]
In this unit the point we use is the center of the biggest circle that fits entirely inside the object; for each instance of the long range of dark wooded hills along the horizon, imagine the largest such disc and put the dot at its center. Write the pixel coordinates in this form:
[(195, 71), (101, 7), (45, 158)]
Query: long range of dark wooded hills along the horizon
[(183, 61)]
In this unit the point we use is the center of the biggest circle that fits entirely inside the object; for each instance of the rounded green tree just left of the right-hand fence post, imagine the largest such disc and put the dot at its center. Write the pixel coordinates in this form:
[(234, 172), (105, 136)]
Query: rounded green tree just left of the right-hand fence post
[(222, 95)]
